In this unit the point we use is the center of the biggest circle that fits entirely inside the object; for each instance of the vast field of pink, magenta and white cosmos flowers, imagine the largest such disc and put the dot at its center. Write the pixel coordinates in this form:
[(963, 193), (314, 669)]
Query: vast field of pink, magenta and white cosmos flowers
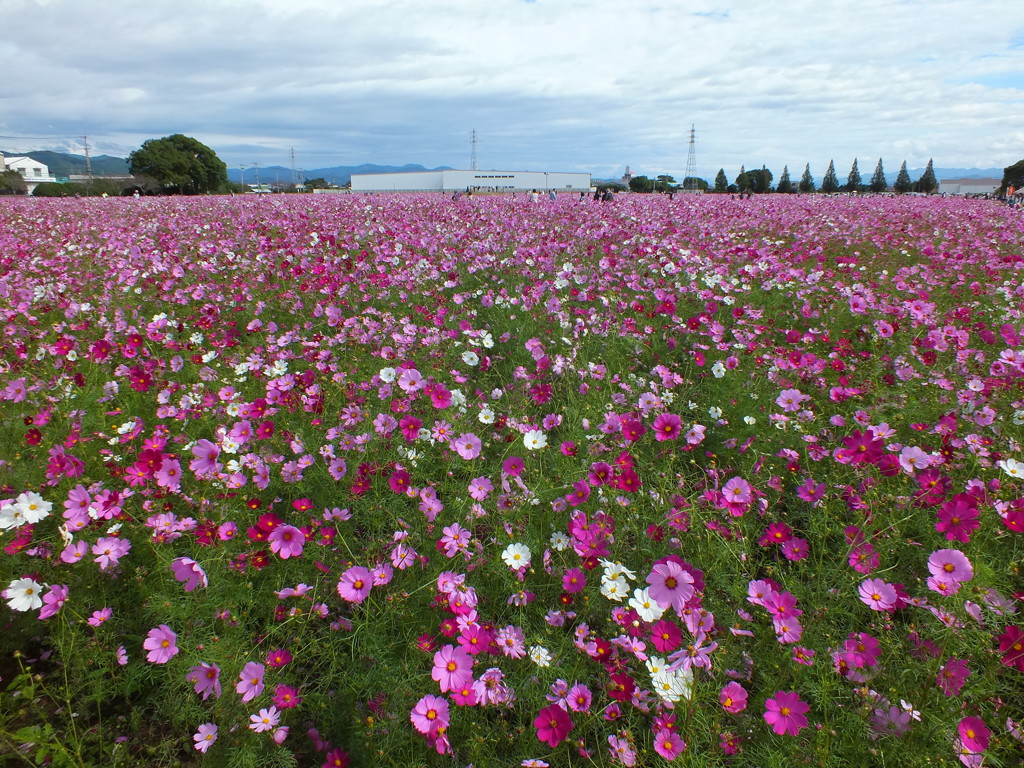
[(398, 481)]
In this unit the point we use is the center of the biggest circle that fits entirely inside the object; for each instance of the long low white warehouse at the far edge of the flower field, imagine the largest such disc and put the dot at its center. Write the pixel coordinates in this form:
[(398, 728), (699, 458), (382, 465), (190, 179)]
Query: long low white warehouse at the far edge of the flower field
[(453, 181)]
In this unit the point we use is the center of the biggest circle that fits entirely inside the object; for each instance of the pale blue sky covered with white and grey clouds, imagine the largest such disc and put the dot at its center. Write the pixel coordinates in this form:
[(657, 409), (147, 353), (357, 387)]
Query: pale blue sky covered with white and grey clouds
[(571, 86)]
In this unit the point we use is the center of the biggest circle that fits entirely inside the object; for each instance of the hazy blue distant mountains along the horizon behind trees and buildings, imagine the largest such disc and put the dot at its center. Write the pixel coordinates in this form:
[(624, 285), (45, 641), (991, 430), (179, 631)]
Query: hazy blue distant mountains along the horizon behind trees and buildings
[(63, 164)]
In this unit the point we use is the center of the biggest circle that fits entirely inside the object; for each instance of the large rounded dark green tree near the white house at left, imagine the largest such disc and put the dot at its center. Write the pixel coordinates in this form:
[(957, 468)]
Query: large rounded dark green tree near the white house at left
[(181, 163)]
